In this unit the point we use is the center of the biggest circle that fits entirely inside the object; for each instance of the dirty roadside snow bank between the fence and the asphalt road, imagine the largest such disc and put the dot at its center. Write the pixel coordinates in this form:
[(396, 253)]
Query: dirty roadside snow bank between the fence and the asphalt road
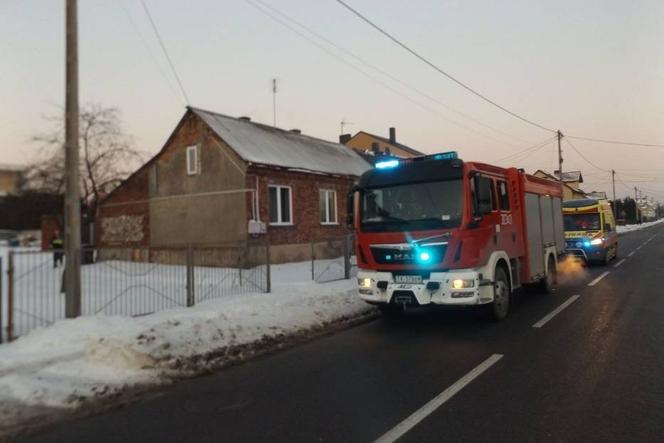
[(72, 361)]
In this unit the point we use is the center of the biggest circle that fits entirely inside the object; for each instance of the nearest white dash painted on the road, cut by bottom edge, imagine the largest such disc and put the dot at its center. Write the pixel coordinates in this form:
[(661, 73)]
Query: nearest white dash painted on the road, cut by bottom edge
[(419, 415)]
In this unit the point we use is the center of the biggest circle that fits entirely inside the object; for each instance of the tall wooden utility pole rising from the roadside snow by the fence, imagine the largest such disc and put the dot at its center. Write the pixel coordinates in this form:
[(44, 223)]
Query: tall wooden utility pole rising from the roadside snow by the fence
[(72, 197)]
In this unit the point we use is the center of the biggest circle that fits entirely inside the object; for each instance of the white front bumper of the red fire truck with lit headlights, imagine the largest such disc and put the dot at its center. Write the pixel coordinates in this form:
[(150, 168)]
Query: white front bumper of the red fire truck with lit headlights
[(438, 289)]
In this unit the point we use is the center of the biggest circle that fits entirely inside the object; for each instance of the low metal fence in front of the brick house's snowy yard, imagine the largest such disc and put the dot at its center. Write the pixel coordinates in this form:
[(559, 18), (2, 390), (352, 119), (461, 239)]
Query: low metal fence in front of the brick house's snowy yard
[(130, 281)]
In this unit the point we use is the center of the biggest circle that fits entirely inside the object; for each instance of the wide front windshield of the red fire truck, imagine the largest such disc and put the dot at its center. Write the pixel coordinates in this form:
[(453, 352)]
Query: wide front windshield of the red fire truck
[(413, 206)]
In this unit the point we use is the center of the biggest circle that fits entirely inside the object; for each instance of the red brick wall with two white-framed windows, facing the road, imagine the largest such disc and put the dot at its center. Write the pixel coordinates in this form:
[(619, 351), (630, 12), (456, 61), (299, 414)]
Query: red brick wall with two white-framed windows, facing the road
[(306, 213)]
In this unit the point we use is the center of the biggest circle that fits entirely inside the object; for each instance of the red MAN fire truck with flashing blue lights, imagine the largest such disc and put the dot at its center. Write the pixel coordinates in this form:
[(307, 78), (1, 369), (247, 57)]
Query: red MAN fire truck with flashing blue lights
[(437, 230)]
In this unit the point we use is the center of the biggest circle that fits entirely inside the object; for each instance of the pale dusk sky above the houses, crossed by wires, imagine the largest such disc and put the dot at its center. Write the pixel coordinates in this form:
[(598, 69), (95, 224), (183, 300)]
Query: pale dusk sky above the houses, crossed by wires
[(592, 68)]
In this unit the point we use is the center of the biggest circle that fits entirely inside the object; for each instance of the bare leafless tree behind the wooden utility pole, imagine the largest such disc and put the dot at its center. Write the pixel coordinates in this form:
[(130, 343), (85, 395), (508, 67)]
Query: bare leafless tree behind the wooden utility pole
[(107, 154)]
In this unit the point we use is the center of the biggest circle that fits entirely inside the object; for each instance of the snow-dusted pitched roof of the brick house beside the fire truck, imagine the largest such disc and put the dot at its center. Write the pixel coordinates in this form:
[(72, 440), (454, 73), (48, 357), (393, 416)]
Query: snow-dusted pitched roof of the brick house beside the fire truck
[(267, 145)]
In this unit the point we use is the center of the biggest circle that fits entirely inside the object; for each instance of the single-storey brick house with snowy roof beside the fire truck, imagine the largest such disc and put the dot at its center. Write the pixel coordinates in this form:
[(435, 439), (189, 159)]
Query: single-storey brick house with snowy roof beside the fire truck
[(221, 180)]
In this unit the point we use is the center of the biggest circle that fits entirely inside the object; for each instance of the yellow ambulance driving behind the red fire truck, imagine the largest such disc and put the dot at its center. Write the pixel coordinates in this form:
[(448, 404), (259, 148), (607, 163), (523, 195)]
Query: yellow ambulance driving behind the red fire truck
[(590, 230)]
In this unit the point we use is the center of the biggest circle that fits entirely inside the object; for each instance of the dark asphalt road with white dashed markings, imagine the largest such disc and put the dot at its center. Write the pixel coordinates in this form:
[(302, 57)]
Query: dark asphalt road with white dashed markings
[(593, 372)]
